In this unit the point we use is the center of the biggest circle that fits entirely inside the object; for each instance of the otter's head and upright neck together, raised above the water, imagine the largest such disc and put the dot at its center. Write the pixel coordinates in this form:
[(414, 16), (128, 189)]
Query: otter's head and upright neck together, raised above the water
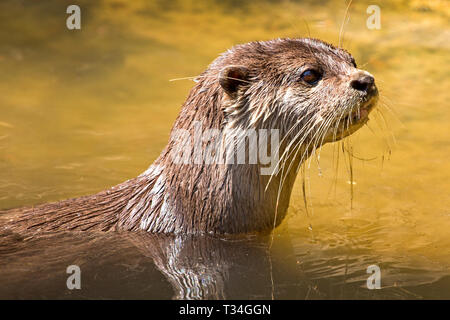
[(310, 91)]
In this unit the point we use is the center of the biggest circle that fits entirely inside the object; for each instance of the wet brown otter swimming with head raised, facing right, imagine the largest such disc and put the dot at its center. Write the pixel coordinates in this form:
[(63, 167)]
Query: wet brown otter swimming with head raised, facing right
[(310, 91)]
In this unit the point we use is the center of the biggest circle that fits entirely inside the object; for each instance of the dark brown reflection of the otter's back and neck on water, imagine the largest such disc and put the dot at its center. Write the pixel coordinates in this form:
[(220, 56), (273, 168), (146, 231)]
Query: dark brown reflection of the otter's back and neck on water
[(139, 265)]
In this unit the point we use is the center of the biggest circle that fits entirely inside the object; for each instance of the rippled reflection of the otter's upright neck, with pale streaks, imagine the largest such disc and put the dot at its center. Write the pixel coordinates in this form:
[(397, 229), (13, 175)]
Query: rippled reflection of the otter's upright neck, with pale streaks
[(208, 267)]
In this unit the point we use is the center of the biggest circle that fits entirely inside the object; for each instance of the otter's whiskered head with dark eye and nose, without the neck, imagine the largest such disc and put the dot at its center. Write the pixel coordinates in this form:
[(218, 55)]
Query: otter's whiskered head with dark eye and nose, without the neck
[(309, 90)]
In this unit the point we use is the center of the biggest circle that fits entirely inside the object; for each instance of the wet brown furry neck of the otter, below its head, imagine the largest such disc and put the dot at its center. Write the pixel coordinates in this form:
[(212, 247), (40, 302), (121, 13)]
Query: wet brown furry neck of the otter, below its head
[(208, 198)]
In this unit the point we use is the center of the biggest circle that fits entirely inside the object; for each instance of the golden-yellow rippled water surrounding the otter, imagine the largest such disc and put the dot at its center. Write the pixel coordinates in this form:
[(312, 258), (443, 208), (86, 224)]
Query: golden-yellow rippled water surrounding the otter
[(81, 111)]
